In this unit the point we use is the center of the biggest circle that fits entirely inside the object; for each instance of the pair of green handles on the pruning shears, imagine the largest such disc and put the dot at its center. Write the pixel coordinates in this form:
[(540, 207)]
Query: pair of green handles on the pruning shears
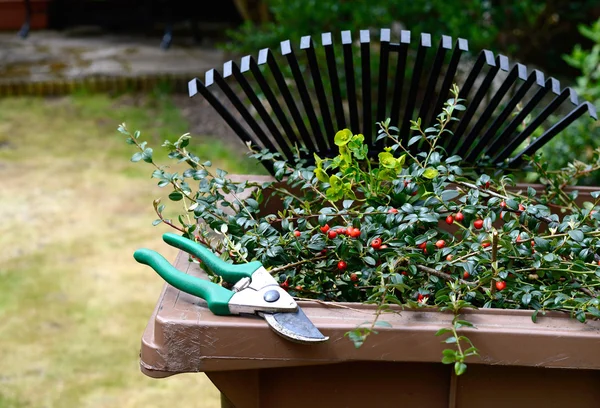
[(215, 295)]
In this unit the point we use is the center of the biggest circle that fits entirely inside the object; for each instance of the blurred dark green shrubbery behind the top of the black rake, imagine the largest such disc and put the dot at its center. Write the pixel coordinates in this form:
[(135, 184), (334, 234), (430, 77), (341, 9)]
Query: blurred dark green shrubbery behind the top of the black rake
[(530, 30)]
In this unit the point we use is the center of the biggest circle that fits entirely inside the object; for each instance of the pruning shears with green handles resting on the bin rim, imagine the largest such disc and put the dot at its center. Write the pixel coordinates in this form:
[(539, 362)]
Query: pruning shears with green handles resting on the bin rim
[(255, 291)]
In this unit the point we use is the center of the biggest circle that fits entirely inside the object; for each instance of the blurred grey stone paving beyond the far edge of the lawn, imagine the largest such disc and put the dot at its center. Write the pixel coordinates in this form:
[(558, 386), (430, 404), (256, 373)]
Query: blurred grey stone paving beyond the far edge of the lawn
[(47, 56)]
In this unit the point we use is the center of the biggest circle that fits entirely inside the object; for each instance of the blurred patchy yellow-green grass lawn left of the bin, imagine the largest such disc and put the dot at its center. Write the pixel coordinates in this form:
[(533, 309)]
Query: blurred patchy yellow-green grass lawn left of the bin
[(73, 302)]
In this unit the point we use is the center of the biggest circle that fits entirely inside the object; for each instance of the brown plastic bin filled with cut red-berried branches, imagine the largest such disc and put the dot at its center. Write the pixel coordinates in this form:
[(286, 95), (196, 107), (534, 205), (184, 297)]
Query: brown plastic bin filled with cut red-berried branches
[(552, 363)]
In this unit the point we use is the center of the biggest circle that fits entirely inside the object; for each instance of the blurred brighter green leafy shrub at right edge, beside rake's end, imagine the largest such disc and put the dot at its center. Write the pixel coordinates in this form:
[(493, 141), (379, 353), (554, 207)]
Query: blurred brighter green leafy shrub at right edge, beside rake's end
[(579, 140)]
